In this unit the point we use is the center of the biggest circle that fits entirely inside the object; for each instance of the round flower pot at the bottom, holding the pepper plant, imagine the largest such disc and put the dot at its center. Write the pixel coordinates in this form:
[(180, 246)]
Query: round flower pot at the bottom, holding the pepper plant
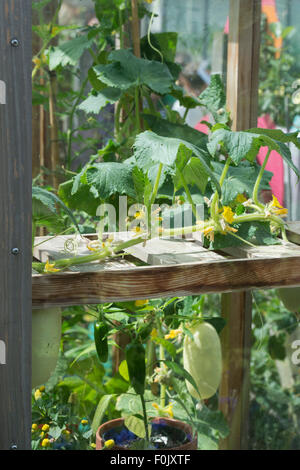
[(166, 434)]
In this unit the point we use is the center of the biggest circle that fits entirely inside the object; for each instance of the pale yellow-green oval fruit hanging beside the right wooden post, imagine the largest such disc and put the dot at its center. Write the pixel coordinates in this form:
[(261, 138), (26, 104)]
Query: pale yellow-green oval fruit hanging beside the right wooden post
[(202, 358)]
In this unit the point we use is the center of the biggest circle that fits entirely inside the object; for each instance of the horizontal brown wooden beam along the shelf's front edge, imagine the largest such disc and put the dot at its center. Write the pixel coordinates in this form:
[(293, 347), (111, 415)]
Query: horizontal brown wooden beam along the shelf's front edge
[(131, 283)]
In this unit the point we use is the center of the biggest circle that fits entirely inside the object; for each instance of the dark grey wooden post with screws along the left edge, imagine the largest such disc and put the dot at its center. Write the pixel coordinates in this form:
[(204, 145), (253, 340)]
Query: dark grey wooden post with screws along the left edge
[(15, 227)]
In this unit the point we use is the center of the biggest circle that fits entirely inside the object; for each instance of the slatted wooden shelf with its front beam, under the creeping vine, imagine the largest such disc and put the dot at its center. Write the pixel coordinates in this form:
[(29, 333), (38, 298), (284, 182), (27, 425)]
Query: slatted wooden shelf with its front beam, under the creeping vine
[(174, 267)]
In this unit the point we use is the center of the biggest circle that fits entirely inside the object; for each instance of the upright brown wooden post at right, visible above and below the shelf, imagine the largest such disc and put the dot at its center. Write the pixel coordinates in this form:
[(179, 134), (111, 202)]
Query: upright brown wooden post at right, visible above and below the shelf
[(242, 97)]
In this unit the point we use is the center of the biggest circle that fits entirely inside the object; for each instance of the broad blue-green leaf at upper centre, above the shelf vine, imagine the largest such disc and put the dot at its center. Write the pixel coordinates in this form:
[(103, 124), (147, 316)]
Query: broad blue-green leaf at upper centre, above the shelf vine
[(125, 71)]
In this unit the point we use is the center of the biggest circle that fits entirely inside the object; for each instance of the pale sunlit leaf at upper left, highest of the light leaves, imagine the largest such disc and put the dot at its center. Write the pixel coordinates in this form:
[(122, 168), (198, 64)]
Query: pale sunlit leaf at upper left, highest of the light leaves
[(69, 53)]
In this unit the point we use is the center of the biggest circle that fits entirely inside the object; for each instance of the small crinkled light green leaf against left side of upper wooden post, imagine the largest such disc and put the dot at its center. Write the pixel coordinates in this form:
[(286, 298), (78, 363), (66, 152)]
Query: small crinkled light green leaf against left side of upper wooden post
[(214, 99)]
